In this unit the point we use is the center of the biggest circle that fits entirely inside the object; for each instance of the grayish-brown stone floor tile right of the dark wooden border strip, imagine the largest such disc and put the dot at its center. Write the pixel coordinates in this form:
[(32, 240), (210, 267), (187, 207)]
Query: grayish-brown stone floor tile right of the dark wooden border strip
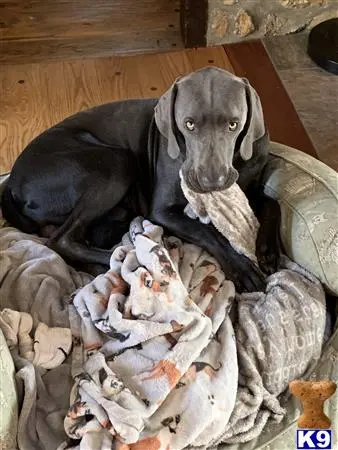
[(313, 91)]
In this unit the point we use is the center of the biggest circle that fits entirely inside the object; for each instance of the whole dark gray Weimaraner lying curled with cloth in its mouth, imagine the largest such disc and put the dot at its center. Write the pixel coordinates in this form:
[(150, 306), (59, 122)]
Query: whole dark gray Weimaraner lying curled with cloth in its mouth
[(83, 180)]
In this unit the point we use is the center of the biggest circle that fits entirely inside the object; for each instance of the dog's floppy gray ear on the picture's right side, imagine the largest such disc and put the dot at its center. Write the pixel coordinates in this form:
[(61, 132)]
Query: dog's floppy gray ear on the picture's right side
[(254, 127)]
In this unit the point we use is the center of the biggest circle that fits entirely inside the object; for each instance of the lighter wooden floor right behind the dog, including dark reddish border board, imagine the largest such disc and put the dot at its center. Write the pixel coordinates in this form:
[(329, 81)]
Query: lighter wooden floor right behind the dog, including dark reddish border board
[(36, 96)]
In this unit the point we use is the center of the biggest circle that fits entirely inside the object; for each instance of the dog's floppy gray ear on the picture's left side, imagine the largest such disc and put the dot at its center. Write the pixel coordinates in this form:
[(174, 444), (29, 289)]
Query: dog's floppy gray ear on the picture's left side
[(165, 119)]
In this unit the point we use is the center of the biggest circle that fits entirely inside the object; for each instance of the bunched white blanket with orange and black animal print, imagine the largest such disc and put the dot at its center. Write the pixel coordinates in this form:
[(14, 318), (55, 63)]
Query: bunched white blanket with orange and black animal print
[(158, 343)]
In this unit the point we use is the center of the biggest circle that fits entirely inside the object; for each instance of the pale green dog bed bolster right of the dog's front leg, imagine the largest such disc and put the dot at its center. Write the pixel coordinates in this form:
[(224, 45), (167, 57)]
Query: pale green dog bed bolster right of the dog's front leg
[(307, 191)]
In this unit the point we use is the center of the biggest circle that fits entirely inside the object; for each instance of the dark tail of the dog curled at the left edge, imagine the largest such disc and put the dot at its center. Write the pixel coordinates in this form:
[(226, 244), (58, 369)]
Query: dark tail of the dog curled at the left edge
[(11, 212)]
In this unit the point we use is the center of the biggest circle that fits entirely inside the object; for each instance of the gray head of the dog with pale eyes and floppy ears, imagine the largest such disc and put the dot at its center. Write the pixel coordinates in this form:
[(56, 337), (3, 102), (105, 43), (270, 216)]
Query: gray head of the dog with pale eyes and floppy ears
[(213, 114)]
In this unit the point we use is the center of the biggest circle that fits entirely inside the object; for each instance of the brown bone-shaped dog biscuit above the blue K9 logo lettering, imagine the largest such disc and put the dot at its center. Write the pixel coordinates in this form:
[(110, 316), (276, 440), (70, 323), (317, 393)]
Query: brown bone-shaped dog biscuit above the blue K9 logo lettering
[(313, 394)]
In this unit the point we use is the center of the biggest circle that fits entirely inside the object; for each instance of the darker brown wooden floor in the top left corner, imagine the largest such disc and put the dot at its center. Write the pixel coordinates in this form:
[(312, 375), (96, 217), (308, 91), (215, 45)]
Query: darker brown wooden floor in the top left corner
[(40, 30)]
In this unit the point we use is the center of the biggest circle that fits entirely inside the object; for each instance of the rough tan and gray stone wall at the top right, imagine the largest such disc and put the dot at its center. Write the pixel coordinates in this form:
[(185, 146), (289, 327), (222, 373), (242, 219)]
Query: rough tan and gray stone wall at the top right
[(237, 20)]
